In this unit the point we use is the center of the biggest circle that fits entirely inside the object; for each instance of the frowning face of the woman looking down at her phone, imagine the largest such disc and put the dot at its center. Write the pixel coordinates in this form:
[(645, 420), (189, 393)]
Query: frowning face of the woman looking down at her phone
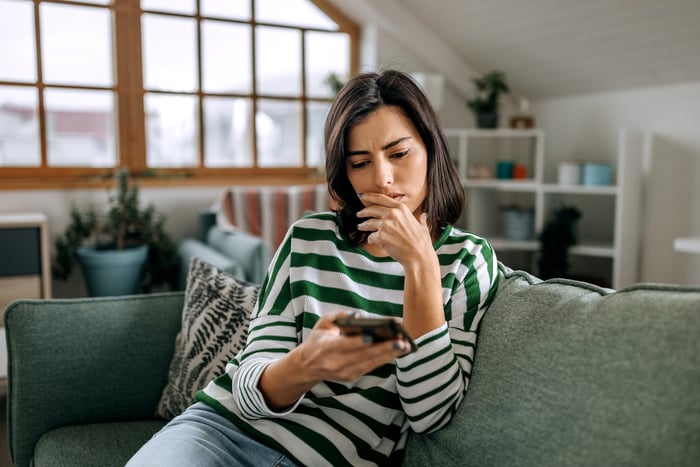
[(387, 155)]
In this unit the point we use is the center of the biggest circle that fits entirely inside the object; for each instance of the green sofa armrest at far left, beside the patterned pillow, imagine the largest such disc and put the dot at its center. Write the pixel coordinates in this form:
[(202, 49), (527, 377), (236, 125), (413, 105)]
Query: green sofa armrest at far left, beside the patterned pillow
[(75, 361)]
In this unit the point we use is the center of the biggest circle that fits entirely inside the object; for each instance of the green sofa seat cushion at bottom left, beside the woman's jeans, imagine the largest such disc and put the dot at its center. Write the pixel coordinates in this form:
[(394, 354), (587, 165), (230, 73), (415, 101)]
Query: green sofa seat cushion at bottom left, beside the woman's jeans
[(103, 444)]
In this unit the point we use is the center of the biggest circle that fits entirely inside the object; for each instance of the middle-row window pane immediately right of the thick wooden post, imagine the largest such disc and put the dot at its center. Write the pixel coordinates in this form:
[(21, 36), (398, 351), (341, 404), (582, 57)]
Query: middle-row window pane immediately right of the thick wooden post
[(169, 53)]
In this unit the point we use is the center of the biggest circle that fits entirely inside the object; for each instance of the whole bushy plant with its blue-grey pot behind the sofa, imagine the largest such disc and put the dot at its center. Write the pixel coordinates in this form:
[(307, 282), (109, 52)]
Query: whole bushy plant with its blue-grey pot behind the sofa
[(124, 251)]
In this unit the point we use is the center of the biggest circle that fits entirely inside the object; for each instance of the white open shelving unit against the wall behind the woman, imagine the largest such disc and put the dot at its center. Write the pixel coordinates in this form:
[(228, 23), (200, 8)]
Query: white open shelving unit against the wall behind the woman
[(608, 230)]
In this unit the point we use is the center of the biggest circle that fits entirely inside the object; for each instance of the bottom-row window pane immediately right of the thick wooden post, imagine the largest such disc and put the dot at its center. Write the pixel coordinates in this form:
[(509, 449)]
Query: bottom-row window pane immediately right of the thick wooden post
[(171, 131)]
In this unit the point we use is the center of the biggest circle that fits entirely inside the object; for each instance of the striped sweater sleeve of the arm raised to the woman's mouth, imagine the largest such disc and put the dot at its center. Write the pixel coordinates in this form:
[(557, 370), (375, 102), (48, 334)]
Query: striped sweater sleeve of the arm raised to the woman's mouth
[(432, 381)]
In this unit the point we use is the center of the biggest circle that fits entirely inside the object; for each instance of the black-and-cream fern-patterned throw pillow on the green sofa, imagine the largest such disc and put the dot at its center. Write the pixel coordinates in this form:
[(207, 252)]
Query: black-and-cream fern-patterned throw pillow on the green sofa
[(215, 322)]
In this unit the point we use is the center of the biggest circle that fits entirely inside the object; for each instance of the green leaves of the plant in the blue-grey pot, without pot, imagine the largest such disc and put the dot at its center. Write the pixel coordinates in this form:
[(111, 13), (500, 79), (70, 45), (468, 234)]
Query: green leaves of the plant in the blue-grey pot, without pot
[(124, 225)]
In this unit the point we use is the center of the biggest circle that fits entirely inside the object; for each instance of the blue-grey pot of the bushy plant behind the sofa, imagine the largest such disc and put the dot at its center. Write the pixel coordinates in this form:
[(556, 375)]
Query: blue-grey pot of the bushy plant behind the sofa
[(112, 272)]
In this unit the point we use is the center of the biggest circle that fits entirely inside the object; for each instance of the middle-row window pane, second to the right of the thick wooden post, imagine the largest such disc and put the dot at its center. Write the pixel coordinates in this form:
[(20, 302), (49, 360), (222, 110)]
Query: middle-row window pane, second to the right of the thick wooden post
[(226, 57)]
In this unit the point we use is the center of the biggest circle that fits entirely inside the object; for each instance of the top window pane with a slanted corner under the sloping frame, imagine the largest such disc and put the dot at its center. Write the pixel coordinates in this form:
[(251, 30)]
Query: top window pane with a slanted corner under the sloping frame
[(293, 12)]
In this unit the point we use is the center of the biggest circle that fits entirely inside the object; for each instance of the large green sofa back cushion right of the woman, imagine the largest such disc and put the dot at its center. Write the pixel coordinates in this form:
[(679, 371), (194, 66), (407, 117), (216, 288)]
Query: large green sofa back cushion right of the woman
[(566, 373)]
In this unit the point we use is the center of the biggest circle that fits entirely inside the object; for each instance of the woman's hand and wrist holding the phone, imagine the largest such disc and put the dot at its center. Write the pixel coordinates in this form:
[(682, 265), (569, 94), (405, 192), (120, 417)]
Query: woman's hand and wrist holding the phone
[(326, 354)]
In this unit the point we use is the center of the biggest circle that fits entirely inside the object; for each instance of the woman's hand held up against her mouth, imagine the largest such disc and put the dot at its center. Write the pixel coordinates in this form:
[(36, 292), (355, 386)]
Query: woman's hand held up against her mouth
[(394, 227)]
